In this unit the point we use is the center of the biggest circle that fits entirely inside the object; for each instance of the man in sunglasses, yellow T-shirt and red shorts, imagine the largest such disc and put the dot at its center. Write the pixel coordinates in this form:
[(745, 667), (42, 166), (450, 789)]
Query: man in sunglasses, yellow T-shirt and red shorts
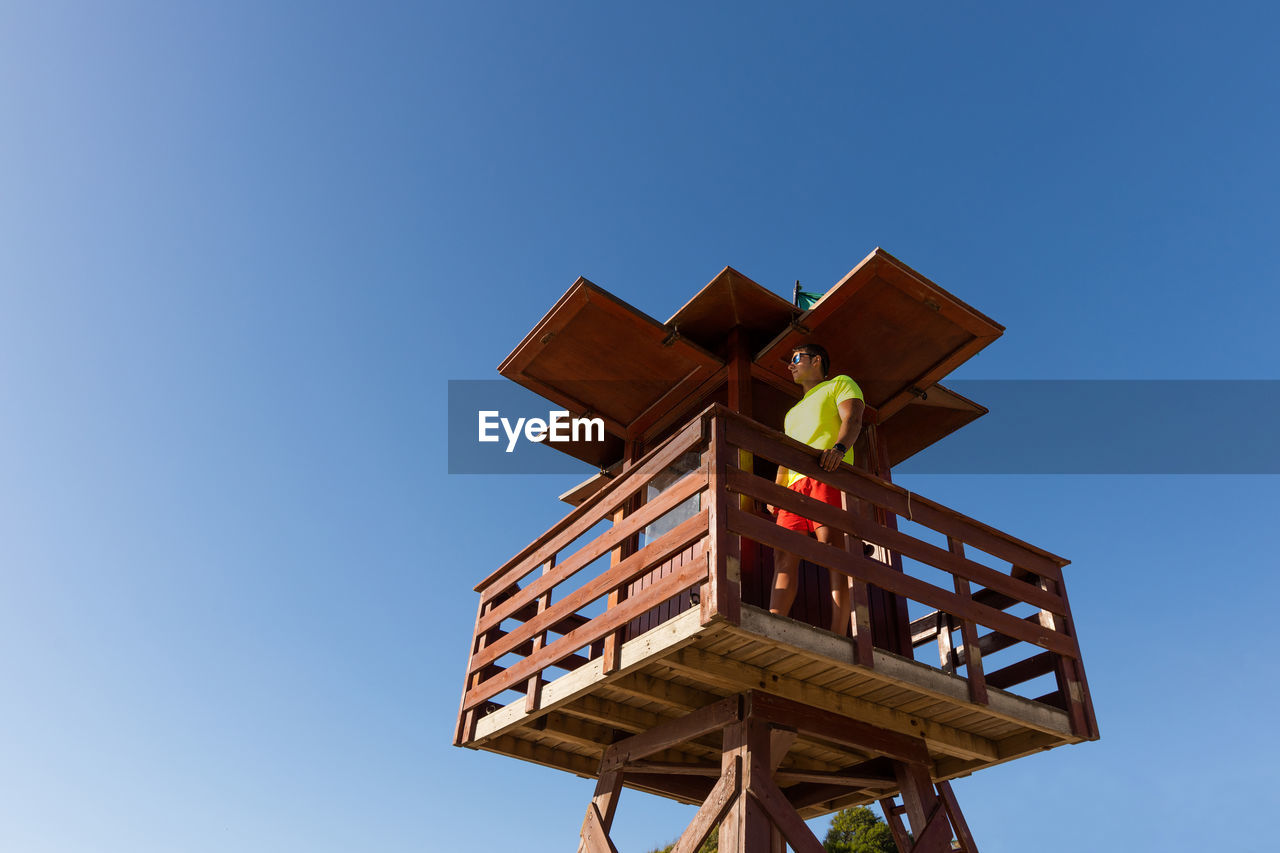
[(829, 419)]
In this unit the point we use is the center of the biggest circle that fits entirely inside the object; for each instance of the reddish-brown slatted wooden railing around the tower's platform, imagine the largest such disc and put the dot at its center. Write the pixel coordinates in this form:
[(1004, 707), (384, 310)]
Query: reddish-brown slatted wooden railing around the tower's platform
[(529, 623)]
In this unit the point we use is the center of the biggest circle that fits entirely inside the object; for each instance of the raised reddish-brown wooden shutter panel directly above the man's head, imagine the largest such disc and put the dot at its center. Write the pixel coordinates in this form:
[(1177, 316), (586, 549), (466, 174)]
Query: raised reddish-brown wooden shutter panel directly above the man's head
[(890, 329)]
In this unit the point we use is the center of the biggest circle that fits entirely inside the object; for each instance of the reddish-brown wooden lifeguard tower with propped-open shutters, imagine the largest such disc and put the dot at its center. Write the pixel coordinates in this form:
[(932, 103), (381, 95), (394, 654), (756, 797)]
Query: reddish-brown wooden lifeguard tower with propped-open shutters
[(632, 642)]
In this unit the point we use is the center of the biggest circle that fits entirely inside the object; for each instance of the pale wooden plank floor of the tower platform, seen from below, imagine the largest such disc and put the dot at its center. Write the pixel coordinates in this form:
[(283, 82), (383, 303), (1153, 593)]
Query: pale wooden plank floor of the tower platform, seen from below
[(680, 667)]
